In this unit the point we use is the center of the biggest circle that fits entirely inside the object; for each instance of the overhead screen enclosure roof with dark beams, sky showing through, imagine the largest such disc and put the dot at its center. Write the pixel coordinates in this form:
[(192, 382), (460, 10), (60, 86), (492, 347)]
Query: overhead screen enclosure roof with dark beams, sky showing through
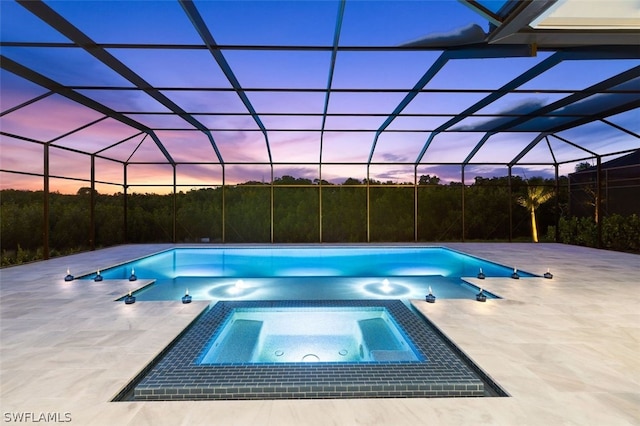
[(328, 89)]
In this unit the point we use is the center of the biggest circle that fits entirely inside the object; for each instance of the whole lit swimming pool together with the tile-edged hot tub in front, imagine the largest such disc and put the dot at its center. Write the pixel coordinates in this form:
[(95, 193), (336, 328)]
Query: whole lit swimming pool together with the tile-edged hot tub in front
[(244, 347)]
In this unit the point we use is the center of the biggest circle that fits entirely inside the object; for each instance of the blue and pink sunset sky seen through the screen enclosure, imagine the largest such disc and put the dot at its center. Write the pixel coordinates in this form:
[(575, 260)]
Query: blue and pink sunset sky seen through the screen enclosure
[(280, 84)]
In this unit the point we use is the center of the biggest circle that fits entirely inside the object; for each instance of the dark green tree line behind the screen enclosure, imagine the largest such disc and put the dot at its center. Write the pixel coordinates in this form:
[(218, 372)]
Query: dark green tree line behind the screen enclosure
[(304, 211)]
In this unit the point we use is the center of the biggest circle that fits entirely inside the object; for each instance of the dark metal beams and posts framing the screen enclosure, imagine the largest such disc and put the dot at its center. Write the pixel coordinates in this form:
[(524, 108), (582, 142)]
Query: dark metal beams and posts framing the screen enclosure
[(506, 25)]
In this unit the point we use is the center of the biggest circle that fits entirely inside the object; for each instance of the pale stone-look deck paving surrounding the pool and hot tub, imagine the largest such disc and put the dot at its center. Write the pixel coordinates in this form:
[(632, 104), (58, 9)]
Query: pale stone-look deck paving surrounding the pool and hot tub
[(566, 350)]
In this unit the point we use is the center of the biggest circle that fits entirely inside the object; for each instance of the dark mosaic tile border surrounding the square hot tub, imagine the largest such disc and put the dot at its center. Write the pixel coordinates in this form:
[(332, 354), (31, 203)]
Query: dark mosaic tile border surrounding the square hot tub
[(177, 376)]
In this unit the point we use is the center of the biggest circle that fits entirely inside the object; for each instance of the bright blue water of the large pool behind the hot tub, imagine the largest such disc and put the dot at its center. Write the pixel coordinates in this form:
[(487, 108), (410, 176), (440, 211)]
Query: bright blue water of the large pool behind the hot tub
[(304, 273)]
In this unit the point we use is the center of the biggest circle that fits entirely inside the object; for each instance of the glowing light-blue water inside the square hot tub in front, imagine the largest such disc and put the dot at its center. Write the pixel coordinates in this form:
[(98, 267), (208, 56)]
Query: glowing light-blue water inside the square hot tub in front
[(308, 335)]
